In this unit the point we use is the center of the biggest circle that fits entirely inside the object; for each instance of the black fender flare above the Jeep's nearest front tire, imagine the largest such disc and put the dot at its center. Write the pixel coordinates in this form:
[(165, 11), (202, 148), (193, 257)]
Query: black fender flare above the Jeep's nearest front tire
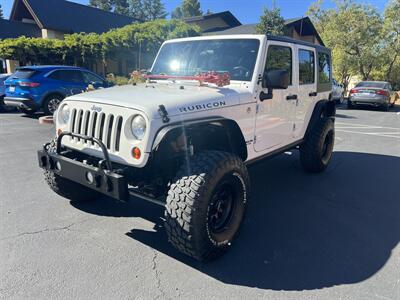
[(232, 129)]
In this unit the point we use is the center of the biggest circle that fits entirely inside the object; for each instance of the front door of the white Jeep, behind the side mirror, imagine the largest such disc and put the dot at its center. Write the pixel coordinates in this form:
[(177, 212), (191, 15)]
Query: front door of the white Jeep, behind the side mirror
[(274, 119)]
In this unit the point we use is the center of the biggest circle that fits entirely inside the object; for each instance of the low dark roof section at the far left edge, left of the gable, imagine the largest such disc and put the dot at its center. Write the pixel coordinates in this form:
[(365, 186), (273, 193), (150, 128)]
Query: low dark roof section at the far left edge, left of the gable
[(12, 29)]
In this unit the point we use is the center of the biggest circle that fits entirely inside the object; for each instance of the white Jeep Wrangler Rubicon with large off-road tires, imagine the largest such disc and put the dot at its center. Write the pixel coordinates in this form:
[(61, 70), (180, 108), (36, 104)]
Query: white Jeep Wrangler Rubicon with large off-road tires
[(210, 106)]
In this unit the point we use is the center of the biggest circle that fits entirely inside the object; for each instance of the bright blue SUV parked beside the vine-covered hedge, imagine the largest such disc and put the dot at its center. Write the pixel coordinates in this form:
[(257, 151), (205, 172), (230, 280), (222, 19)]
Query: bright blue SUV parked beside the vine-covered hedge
[(37, 88)]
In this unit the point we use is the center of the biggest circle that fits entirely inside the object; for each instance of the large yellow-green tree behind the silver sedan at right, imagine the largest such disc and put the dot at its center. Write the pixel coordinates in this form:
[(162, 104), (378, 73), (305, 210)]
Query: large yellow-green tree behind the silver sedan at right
[(353, 32)]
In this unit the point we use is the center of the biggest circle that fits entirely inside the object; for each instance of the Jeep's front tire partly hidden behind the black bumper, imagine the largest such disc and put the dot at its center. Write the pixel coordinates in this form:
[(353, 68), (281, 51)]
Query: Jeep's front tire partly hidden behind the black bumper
[(67, 188)]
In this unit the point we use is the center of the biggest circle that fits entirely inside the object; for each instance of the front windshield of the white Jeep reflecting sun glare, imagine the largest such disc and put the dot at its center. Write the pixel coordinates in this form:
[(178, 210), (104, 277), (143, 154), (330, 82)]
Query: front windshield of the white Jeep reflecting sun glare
[(235, 56)]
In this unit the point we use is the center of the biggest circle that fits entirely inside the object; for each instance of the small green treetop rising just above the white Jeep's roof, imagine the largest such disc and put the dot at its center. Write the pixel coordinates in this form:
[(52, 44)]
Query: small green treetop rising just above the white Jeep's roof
[(271, 22)]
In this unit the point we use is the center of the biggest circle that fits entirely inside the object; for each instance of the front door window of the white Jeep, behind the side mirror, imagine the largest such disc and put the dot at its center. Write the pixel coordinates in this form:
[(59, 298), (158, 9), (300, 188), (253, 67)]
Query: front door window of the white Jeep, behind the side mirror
[(279, 58)]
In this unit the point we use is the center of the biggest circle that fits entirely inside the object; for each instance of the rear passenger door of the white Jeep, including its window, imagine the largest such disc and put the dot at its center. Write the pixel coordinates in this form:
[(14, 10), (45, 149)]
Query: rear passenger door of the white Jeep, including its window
[(307, 87)]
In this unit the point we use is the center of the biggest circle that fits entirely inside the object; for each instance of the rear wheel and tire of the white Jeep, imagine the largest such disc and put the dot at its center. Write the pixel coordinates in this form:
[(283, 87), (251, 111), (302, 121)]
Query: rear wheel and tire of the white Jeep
[(316, 150)]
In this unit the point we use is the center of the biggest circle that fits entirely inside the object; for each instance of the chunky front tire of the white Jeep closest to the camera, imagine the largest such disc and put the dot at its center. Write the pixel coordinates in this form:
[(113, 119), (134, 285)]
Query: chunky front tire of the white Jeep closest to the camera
[(191, 199)]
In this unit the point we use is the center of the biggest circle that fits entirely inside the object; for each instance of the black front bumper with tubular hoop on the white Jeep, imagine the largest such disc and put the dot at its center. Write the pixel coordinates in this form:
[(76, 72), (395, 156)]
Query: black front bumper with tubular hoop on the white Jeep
[(101, 178)]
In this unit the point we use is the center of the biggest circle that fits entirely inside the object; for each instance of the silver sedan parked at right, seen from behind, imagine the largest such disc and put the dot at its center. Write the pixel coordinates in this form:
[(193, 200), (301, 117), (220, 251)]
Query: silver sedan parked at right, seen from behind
[(374, 93)]
